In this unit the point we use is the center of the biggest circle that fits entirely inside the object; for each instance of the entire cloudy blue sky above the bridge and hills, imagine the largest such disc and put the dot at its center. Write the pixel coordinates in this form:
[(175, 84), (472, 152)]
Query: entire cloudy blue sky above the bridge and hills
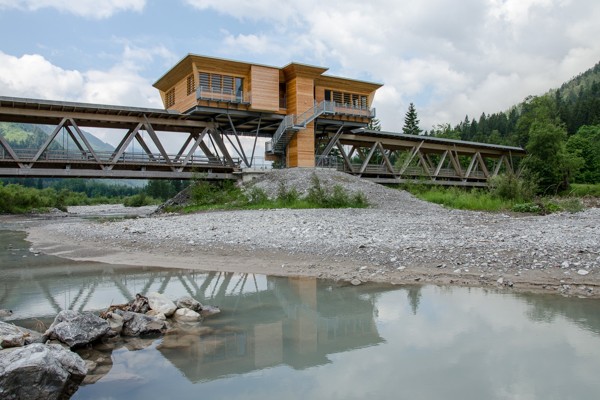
[(451, 58)]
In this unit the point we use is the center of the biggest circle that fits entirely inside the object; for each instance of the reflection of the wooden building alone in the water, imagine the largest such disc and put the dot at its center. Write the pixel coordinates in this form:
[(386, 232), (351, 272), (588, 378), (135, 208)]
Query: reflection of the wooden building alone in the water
[(303, 321)]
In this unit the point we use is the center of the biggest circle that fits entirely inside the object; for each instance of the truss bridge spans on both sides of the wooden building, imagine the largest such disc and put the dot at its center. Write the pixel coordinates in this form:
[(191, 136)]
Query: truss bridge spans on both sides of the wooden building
[(213, 135)]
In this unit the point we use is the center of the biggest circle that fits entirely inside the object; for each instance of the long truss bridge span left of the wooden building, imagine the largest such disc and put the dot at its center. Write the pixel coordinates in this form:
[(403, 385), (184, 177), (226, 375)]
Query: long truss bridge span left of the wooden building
[(203, 150)]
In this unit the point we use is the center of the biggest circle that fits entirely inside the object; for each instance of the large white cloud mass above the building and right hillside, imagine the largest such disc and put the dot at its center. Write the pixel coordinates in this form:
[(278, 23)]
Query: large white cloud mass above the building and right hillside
[(449, 58)]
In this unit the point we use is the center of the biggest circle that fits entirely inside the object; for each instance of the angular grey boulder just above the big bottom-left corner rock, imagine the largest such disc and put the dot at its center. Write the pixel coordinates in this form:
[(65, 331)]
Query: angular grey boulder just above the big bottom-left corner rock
[(77, 329)]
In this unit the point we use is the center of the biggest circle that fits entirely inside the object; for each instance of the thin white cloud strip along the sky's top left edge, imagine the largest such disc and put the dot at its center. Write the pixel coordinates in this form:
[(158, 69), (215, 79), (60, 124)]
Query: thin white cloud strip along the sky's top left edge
[(86, 8)]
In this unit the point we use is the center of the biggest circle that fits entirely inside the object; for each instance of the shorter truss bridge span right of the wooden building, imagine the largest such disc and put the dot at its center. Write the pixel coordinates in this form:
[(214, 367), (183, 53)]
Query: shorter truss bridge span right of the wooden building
[(447, 163)]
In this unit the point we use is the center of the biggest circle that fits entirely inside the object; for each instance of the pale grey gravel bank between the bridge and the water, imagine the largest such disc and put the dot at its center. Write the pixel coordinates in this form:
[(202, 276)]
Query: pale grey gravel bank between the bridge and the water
[(400, 239)]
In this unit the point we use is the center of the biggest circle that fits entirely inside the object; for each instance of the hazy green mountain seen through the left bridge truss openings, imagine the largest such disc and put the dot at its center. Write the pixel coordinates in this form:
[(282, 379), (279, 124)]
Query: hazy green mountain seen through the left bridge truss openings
[(29, 136)]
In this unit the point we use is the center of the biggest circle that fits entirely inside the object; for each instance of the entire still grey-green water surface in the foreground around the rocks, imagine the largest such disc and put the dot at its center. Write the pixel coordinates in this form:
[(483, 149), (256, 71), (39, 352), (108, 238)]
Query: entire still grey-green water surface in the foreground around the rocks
[(298, 338)]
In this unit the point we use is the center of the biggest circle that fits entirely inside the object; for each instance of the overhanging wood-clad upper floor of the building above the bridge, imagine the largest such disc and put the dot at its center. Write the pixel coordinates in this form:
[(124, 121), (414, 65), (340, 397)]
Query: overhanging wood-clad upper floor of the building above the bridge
[(199, 83)]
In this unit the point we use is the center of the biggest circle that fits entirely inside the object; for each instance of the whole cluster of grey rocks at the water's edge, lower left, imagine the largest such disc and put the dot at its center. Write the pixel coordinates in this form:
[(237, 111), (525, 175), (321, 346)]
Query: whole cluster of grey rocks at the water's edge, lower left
[(36, 366)]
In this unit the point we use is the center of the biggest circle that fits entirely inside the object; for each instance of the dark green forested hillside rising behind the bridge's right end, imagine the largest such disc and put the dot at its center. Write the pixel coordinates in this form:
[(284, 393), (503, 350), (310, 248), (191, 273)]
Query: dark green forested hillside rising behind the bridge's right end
[(560, 130)]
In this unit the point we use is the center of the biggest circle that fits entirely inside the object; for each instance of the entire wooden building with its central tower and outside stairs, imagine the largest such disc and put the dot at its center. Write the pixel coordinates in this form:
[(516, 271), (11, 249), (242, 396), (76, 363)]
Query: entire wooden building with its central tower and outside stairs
[(292, 105)]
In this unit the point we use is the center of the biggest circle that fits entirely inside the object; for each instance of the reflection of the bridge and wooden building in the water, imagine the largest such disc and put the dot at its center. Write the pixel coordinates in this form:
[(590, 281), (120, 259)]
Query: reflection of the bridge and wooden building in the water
[(265, 321)]
